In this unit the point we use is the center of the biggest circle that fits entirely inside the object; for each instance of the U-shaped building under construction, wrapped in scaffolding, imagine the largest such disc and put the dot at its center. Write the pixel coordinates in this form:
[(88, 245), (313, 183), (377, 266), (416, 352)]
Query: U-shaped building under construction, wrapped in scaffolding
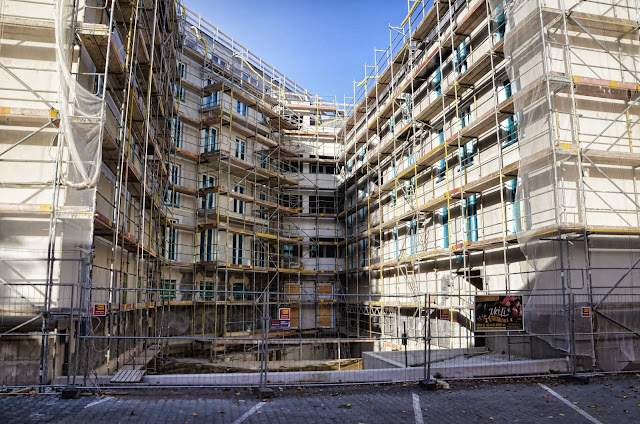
[(167, 194)]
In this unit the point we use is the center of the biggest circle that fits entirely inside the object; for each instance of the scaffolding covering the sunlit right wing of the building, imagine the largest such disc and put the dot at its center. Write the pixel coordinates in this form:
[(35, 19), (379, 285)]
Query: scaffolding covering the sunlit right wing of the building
[(470, 143)]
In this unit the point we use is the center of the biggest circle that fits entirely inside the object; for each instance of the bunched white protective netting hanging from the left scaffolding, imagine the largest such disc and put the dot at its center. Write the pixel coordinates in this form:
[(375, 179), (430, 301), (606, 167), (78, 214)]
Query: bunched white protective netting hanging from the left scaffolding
[(82, 114)]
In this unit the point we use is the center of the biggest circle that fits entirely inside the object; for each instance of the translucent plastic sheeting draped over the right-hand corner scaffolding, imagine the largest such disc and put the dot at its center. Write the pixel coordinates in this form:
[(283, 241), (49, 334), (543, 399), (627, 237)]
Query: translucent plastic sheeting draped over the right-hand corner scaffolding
[(548, 54)]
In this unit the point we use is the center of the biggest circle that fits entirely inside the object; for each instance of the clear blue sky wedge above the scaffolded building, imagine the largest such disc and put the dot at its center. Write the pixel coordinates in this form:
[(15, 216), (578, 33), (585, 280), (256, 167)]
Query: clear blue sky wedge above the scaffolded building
[(322, 45)]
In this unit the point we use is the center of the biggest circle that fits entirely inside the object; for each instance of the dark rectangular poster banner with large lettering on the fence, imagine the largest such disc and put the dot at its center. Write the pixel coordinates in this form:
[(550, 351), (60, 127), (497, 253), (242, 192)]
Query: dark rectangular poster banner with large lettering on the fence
[(498, 313)]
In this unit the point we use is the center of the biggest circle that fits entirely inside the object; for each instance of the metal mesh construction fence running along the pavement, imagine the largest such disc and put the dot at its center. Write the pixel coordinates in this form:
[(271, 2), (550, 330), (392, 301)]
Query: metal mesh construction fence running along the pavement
[(223, 337)]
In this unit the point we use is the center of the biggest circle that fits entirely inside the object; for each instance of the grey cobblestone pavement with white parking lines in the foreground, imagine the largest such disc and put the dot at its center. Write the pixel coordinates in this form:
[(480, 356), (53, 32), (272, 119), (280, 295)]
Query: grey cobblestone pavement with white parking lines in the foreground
[(613, 399)]
